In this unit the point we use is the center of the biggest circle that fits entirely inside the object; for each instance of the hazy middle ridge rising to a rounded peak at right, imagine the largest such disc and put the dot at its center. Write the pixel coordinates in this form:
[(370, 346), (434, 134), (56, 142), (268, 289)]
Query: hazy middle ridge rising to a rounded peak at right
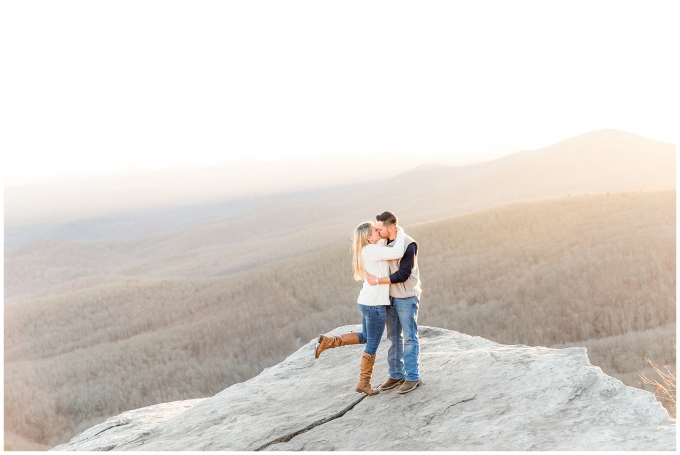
[(232, 235)]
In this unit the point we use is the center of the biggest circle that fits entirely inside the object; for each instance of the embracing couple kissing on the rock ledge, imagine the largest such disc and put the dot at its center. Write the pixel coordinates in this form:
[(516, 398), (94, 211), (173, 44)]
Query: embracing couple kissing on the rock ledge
[(385, 258)]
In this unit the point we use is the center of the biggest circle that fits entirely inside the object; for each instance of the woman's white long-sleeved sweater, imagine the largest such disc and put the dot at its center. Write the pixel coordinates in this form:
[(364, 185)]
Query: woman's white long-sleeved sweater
[(375, 259)]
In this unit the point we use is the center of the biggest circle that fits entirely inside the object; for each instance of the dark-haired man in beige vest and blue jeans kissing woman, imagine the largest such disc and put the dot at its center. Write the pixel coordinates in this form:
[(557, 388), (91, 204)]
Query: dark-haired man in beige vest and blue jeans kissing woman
[(403, 356)]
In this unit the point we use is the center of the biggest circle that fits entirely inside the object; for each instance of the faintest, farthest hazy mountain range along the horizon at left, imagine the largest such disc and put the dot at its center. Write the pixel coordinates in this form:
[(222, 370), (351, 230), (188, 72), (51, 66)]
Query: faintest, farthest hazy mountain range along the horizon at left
[(103, 206)]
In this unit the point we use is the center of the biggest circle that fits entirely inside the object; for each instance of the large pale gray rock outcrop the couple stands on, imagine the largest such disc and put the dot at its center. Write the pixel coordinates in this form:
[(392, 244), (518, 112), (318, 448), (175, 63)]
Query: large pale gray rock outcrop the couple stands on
[(475, 395)]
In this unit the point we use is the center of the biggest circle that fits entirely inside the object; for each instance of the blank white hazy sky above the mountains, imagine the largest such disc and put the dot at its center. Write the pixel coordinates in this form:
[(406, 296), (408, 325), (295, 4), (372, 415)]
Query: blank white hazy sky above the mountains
[(94, 86)]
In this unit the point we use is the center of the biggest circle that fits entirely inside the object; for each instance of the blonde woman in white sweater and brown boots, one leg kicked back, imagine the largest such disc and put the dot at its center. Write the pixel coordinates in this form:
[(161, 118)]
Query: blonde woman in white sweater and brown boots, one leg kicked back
[(368, 256)]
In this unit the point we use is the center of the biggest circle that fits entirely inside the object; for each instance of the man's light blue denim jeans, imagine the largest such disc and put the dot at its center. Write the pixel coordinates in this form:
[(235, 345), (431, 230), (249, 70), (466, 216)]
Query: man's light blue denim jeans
[(404, 353)]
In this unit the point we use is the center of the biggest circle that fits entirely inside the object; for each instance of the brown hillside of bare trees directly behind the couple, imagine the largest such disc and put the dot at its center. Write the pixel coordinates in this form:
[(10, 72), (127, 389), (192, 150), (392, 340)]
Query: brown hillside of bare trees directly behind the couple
[(592, 270)]
